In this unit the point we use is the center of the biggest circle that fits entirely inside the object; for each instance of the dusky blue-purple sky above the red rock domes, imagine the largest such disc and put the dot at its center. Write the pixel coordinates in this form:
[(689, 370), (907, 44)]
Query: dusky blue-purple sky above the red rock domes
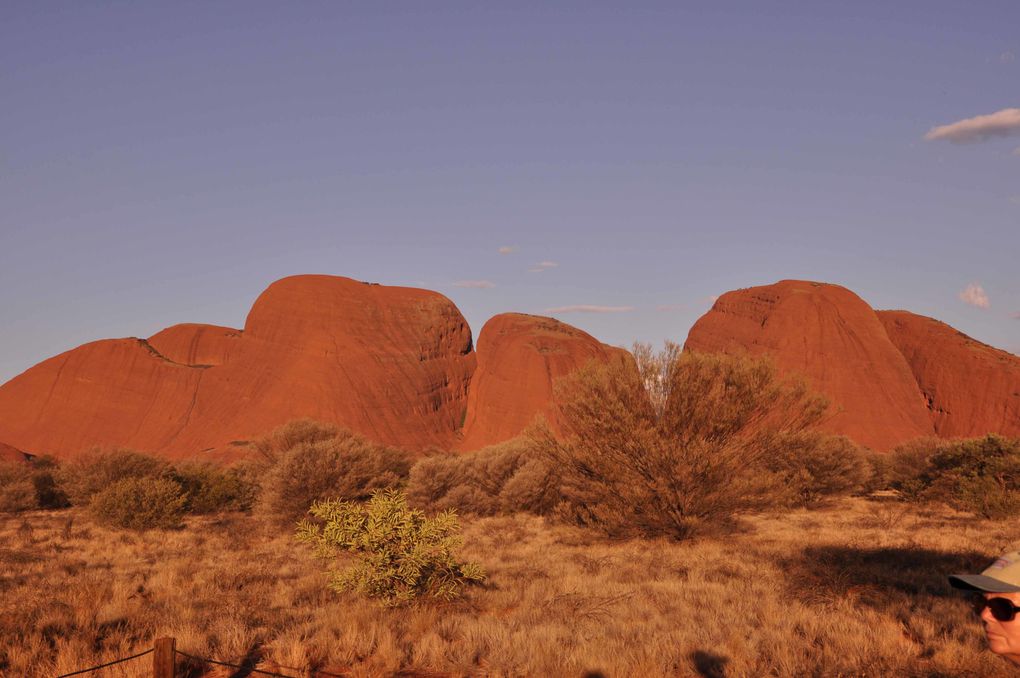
[(163, 164)]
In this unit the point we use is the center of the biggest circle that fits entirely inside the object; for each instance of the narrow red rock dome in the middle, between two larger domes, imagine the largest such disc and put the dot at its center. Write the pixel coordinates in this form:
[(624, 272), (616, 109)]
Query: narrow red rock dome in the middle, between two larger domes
[(521, 357)]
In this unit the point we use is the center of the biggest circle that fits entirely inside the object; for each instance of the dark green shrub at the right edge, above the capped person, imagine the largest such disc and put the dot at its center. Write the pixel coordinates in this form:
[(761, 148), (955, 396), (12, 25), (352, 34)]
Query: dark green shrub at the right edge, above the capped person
[(981, 476)]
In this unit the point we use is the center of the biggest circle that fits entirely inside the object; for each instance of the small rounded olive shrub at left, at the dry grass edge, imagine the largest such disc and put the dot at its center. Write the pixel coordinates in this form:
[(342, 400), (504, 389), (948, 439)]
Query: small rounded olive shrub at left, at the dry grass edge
[(140, 503)]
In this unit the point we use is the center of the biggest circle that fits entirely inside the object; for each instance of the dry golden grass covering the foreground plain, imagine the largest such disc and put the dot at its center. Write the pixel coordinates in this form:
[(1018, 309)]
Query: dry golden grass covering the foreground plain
[(857, 590)]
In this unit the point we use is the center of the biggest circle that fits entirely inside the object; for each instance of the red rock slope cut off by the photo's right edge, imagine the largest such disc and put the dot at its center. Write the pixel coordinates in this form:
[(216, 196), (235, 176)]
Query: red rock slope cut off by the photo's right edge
[(971, 388)]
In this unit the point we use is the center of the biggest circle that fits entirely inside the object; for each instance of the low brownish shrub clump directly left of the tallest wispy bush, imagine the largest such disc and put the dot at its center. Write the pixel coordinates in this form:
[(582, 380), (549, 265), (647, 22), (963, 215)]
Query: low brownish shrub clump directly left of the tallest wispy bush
[(502, 479)]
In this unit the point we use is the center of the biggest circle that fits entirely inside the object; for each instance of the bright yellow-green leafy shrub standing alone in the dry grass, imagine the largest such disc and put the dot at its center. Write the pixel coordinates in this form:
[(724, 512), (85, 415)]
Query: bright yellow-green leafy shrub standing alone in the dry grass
[(400, 554)]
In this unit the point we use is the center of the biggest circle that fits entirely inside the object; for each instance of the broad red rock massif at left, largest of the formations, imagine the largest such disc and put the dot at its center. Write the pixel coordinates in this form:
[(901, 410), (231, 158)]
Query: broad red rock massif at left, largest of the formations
[(391, 363)]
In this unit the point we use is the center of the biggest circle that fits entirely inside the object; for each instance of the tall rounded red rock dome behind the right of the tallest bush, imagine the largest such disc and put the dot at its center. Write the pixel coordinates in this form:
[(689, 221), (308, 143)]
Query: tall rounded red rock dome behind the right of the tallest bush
[(837, 341)]
